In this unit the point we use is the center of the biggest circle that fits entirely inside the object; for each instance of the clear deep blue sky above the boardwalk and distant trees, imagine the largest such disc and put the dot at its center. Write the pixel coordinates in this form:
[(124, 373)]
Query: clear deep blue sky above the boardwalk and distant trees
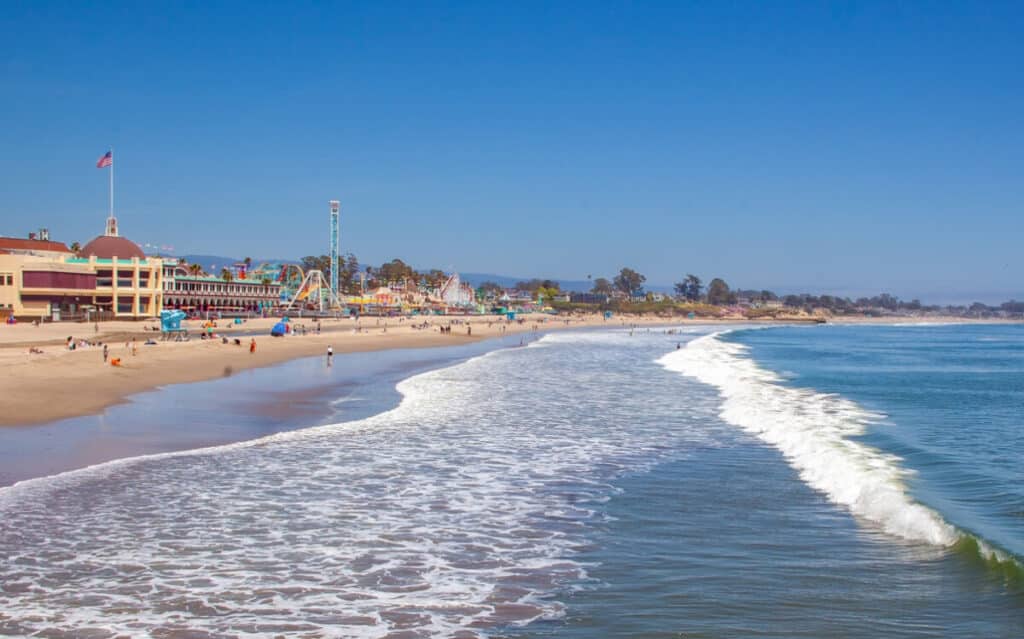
[(851, 147)]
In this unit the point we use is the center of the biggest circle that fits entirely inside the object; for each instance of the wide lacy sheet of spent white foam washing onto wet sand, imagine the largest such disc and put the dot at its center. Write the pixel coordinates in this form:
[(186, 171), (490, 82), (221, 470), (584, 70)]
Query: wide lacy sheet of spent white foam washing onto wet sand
[(459, 510)]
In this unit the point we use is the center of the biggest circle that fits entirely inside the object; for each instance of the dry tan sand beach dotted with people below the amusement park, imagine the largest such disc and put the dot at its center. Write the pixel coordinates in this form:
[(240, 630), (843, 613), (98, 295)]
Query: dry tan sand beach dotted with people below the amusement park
[(61, 385)]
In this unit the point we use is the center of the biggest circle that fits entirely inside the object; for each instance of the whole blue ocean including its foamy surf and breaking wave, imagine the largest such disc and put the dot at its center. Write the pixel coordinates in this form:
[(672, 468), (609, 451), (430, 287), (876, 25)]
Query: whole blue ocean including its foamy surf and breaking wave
[(785, 482)]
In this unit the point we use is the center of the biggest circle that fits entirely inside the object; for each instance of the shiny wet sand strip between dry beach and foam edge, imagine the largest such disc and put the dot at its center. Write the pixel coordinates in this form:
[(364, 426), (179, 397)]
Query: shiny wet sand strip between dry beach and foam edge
[(248, 405)]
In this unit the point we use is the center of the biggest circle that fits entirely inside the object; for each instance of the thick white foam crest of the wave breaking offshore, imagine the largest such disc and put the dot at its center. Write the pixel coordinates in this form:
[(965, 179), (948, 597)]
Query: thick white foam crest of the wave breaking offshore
[(815, 432)]
